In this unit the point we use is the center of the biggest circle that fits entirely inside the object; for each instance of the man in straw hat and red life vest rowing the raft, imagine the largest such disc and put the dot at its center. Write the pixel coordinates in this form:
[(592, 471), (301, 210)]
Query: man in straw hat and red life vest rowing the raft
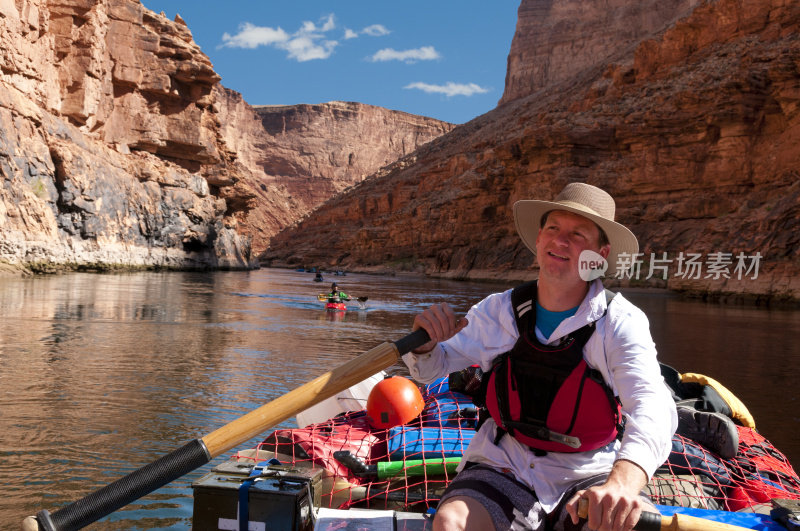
[(566, 364)]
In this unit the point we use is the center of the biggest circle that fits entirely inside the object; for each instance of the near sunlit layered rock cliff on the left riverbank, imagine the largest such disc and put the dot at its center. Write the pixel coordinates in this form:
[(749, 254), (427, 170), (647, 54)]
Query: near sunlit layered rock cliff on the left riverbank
[(107, 117)]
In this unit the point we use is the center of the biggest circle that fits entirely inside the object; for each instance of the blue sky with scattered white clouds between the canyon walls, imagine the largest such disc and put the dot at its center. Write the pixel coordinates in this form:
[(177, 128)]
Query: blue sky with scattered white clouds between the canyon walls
[(440, 58)]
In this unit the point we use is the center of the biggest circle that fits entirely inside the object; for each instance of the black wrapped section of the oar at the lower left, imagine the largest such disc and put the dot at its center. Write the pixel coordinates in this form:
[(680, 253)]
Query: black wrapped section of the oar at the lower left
[(127, 489)]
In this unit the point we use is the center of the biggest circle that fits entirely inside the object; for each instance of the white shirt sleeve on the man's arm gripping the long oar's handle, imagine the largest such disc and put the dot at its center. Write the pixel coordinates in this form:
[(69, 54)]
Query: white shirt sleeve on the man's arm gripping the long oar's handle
[(491, 331)]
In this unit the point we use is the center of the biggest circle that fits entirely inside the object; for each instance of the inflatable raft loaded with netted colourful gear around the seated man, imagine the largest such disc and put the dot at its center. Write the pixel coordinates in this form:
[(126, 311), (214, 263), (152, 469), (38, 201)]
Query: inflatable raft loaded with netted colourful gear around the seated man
[(315, 475)]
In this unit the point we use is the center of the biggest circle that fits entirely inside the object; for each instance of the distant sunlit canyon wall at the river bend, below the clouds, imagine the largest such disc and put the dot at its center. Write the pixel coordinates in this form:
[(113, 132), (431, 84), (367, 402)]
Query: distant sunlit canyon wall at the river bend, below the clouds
[(299, 156)]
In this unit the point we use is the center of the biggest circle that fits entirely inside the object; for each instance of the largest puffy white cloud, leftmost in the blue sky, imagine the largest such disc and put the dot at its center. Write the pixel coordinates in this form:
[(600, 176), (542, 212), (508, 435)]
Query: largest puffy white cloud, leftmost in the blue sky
[(305, 44)]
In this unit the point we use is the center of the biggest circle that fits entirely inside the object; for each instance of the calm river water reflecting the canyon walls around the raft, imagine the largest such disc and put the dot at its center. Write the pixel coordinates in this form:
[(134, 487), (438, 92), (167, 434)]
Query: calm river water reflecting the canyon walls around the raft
[(102, 374)]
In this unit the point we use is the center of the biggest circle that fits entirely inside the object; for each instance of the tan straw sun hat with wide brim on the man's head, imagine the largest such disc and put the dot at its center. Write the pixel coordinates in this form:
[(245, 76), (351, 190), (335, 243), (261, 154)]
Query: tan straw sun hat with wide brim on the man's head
[(587, 201)]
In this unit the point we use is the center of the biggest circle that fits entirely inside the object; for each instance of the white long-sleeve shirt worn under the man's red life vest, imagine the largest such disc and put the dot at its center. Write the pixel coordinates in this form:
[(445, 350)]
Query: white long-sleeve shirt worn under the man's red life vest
[(621, 348)]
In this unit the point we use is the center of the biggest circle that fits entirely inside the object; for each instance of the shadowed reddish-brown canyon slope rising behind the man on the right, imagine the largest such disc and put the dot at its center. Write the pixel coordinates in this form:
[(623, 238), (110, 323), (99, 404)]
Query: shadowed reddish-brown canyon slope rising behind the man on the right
[(695, 133)]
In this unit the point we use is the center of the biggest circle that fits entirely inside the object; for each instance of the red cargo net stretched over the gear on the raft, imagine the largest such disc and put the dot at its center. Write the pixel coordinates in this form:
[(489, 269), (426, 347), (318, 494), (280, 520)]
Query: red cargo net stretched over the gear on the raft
[(408, 467)]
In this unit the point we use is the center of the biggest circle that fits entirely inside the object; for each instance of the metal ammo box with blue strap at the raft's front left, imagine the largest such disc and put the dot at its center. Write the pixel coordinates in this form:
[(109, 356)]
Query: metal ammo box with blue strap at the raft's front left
[(275, 497)]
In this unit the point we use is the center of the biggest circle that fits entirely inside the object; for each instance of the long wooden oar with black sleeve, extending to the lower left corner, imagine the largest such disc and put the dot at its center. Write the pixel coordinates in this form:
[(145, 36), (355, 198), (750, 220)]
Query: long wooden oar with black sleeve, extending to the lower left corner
[(200, 451)]
